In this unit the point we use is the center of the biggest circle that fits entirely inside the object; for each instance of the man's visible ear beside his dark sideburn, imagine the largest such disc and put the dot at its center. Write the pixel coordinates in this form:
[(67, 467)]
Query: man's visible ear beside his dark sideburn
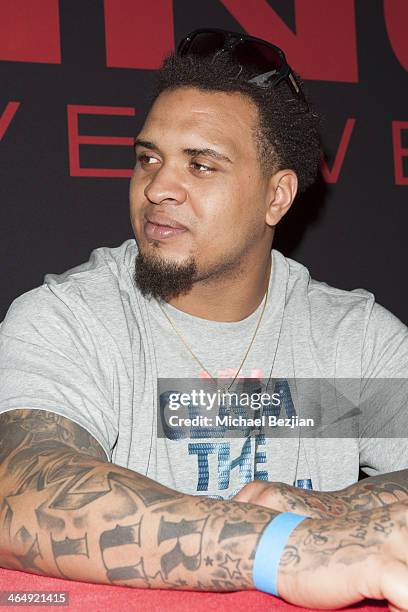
[(281, 193)]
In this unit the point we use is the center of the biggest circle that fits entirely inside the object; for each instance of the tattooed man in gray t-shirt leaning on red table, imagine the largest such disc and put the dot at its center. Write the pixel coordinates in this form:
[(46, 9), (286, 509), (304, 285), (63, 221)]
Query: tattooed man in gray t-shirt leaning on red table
[(88, 491)]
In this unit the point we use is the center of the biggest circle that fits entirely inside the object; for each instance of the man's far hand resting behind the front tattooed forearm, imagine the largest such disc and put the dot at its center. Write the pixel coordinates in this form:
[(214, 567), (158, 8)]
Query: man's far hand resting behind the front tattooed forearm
[(285, 498)]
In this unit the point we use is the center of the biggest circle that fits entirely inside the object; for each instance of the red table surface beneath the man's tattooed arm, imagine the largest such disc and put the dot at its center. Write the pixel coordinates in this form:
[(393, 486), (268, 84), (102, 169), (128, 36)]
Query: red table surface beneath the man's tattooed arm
[(98, 597)]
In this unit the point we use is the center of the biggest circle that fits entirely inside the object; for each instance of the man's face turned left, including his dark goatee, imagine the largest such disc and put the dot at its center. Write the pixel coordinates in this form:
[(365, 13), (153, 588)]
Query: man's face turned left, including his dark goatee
[(197, 193)]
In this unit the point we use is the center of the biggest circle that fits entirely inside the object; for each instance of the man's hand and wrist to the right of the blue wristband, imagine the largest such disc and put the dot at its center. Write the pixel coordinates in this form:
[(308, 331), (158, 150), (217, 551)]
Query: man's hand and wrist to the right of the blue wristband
[(336, 562)]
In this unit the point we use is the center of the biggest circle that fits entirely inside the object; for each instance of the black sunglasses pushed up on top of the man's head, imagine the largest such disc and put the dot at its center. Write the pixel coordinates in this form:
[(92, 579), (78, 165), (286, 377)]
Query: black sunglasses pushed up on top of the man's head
[(266, 61)]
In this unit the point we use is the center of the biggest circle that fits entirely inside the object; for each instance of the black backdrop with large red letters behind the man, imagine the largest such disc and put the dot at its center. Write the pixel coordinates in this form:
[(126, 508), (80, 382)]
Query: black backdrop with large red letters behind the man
[(85, 67)]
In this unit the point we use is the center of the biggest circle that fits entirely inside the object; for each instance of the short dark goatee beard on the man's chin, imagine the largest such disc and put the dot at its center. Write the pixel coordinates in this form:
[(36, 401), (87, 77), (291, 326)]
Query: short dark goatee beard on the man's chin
[(161, 279)]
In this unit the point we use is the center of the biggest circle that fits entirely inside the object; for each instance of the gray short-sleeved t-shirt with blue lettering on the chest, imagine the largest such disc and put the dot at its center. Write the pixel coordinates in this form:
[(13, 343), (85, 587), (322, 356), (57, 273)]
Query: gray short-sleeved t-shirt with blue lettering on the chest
[(87, 345)]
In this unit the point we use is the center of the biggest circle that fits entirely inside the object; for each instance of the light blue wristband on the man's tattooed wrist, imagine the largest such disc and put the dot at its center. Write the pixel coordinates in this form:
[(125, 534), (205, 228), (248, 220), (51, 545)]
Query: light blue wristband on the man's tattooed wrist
[(270, 549)]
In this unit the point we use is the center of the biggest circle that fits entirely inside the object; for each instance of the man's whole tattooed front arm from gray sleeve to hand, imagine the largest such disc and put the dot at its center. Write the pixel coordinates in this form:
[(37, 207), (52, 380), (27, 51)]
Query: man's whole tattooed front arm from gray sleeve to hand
[(66, 511)]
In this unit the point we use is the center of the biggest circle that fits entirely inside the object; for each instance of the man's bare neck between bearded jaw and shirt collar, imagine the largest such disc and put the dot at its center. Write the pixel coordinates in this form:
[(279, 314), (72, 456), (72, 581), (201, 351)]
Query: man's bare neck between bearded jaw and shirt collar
[(228, 300)]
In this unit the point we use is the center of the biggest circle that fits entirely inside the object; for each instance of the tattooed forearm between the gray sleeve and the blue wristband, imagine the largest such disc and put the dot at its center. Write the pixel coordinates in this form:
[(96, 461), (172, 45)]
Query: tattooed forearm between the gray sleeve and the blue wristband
[(66, 511)]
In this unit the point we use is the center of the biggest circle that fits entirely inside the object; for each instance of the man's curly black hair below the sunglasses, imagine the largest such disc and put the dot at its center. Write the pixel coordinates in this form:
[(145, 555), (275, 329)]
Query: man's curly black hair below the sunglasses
[(287, 134)]
